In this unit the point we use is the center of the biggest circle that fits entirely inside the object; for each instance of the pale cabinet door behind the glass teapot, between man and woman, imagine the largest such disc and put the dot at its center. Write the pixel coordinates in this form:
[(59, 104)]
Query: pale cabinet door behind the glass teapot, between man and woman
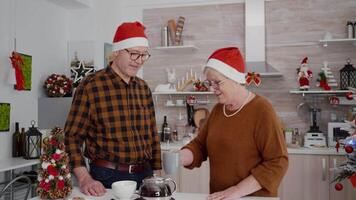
[(196, 180)]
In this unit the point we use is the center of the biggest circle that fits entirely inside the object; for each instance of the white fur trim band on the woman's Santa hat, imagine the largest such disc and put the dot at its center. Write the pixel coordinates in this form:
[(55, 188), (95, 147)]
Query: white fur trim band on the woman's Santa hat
[(226, 70)]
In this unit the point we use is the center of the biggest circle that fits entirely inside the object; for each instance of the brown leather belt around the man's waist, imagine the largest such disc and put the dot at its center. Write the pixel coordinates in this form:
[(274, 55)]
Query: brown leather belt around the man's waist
[(133, 168)]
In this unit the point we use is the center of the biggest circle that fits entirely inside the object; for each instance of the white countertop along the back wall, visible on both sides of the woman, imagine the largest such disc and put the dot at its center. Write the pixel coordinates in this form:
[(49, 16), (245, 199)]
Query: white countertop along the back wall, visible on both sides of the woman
[(301, 150)]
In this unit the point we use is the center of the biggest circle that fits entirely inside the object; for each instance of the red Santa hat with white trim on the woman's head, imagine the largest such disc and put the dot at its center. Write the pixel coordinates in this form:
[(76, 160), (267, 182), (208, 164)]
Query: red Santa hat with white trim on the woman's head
[(229, 62)]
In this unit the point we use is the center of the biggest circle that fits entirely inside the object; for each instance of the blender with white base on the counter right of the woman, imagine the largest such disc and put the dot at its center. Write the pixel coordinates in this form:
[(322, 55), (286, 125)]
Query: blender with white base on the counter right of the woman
[(314, 138)]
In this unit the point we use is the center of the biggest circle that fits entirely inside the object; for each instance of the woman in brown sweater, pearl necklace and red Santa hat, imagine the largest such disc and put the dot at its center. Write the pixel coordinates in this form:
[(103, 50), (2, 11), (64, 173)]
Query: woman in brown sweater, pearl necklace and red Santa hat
[(243, 137)]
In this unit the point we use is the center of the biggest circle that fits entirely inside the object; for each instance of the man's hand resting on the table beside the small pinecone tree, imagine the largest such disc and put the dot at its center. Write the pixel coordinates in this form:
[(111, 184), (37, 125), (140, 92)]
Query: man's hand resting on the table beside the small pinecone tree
[(91, 187)]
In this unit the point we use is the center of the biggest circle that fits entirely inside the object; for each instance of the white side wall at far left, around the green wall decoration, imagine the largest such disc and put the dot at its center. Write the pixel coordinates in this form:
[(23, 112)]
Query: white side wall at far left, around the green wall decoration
[(41, 30)]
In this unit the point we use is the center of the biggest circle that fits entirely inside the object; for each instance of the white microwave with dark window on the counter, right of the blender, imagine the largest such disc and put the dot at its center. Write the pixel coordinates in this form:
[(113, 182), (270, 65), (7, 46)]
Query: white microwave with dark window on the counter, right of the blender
[(336, 132)]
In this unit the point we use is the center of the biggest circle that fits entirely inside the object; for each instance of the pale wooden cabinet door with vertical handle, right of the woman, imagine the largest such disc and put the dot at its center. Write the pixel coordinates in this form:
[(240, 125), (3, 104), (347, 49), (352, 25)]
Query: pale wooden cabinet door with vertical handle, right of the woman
[(307, 178)]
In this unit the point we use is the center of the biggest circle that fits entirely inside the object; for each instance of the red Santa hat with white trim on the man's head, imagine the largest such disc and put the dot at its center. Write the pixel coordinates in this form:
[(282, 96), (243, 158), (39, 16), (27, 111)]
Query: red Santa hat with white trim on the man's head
[(129, 34)]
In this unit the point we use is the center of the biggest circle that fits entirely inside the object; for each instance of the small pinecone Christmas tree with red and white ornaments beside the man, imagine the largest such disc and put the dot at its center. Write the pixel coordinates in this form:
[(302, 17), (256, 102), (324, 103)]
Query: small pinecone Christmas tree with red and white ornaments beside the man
[(54, 179)]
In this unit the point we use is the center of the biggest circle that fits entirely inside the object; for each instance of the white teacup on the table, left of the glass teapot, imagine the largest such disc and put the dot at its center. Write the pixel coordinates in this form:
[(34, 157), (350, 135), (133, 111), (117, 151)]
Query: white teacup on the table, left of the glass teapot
[(124, 189)]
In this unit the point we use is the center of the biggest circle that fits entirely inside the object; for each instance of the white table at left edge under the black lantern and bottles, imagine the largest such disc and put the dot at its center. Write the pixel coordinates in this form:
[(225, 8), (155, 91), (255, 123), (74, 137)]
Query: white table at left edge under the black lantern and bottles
[(8, 166)]
